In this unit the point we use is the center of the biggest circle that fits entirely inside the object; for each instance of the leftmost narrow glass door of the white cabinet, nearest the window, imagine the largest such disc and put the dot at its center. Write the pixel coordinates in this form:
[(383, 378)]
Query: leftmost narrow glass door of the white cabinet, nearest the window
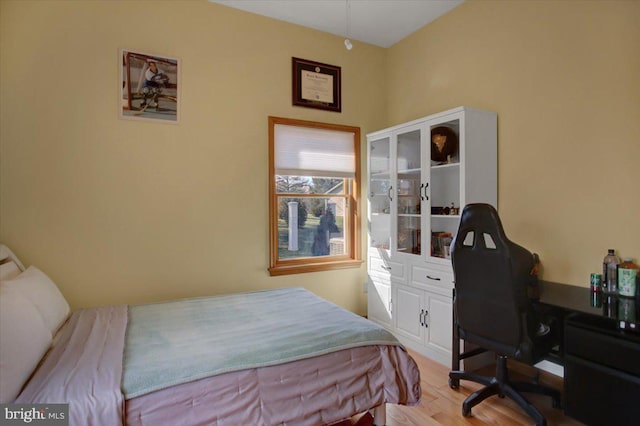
[(380, 195)]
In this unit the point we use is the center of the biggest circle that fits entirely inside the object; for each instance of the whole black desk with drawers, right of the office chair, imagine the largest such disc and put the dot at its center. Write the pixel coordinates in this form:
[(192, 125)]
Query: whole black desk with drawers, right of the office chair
[(600, 351)]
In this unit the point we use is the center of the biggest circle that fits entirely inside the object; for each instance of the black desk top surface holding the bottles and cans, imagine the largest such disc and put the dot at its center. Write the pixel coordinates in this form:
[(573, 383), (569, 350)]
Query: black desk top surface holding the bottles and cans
[(625, 311)]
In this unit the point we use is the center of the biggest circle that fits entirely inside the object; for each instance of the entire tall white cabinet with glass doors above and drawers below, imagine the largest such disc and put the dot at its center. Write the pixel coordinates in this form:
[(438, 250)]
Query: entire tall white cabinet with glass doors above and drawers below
[(421, 175)]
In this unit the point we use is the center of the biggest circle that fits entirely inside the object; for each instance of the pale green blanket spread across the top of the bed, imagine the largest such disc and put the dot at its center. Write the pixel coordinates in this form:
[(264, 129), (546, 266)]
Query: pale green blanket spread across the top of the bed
[(177, 342)]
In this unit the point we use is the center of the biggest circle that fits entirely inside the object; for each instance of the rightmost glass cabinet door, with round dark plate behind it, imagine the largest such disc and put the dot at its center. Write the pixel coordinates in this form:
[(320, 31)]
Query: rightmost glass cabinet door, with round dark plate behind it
[(444, 186)]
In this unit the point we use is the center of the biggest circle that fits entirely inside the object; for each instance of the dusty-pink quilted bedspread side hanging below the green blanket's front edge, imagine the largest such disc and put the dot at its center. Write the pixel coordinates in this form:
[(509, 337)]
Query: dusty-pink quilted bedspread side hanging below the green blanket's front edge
[(310, 392)]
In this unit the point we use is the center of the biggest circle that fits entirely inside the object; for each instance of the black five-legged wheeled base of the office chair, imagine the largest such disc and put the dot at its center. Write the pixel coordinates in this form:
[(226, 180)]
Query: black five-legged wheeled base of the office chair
[(501, 386)]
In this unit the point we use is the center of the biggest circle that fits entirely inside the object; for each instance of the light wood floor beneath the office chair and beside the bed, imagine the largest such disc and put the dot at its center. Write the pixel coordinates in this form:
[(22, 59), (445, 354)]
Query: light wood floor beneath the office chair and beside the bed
[(442, 405)]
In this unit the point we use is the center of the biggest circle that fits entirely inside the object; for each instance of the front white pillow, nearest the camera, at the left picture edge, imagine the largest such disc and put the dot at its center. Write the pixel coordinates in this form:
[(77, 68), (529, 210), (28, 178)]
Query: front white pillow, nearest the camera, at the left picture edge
[(24, 339)]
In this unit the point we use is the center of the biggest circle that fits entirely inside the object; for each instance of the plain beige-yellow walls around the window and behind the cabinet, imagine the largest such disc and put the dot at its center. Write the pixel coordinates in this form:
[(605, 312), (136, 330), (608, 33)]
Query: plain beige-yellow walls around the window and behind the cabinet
[(118, 211)]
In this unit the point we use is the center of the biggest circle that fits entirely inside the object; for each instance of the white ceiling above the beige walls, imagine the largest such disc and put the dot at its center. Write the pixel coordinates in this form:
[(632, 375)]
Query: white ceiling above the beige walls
[(378, 22)]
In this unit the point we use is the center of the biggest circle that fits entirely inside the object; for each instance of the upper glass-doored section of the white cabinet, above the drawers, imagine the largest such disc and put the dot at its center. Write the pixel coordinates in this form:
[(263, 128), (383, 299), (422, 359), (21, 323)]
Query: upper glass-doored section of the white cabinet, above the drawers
[(422, 173)]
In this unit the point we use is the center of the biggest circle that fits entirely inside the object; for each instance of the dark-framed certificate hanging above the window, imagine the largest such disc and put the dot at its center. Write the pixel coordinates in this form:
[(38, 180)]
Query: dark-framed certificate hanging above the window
[(316, 85)]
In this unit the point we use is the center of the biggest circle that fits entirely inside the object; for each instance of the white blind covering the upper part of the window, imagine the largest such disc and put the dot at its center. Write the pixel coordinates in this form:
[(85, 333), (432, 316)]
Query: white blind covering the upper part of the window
[(304, 151)]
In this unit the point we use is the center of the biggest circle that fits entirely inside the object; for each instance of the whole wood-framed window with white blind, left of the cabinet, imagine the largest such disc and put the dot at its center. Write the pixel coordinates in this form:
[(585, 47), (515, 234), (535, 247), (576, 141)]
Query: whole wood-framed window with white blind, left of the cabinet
[(314, 190)]
